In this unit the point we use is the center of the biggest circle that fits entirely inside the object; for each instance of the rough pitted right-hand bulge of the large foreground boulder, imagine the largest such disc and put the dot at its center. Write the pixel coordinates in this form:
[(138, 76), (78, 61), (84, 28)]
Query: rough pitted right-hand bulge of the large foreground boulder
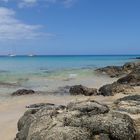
[(117, 125)]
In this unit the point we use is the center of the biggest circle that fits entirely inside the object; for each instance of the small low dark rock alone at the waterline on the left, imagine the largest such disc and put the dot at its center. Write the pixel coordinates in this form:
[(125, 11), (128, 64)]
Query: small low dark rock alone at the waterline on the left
[(23, 92)]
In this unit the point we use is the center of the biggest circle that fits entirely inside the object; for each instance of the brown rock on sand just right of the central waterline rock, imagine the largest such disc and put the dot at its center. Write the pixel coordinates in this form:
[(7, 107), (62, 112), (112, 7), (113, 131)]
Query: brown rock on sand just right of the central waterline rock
[(114, 88)]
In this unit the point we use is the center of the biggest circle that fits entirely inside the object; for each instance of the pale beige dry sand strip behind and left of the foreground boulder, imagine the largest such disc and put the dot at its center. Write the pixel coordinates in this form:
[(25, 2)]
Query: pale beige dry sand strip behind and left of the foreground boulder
[(14, 107)]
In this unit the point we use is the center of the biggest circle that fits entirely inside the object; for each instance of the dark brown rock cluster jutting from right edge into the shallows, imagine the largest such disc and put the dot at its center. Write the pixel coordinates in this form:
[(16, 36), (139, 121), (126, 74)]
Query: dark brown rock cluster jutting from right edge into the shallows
[(122, 85)]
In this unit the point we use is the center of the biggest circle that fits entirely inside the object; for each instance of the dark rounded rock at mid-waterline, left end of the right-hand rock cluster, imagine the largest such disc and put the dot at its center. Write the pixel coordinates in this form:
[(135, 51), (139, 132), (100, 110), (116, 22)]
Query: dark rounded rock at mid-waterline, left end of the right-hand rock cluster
[(82, 90)]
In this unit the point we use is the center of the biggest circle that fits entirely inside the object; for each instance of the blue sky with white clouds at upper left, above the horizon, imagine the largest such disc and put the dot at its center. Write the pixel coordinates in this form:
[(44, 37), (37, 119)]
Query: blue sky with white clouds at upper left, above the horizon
[(70, 27)]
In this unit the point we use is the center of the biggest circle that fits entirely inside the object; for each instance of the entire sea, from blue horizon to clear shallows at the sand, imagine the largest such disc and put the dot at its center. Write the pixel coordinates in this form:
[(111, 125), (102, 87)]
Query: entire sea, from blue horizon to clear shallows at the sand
[(49, 73)]
